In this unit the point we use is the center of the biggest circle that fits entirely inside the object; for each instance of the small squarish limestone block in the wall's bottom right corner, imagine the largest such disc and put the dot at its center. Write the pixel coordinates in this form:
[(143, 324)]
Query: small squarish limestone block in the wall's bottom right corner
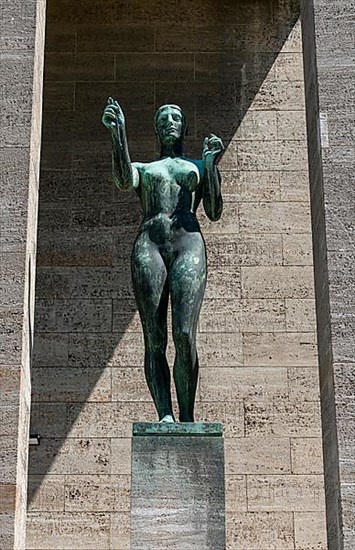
[(310, 531)]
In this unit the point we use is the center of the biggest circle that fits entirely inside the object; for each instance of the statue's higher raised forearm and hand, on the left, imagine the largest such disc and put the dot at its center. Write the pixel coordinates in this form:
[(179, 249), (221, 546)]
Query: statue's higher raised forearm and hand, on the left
[(125, 175)]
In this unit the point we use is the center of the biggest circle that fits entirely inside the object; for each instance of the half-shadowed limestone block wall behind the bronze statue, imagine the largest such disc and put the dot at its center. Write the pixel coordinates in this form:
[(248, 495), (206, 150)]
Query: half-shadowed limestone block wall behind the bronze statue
[(236, 69)]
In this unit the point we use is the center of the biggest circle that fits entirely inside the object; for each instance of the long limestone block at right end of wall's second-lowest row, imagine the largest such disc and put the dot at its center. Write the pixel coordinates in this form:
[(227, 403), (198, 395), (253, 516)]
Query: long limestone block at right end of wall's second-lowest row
[(286, 493)]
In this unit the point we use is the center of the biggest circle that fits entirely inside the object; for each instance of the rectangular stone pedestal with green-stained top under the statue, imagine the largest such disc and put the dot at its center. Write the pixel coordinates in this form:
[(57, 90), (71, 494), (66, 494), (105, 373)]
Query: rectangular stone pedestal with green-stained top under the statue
[(178, 497)]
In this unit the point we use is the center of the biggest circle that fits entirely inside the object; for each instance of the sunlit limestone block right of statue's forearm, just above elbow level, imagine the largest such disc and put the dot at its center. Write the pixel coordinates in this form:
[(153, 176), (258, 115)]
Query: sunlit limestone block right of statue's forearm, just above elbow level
[(250, 186)]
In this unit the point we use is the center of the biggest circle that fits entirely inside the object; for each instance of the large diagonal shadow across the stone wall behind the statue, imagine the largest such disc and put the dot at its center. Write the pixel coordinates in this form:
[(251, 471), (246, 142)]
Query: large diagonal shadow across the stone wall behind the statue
[(212, 60)]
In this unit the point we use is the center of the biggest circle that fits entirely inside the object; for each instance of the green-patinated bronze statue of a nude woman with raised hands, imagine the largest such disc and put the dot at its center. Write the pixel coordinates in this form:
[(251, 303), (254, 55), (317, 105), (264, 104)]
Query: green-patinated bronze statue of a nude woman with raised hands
[(169, 255)]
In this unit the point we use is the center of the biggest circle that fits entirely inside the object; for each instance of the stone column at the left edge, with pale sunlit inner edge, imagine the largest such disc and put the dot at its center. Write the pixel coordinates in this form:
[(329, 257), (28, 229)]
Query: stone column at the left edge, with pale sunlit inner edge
[(21, 52)]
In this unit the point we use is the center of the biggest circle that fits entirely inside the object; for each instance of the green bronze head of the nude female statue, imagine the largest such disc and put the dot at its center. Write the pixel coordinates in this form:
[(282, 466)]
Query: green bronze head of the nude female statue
[(170, 124)]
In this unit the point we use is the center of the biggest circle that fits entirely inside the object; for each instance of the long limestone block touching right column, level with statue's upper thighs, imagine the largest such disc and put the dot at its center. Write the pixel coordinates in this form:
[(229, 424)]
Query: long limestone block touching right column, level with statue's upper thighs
[(277, 282)]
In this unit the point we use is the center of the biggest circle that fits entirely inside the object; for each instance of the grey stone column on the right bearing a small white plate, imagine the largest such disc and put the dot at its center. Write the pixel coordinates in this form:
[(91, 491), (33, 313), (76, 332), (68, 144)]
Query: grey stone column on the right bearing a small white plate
[(329, 34)]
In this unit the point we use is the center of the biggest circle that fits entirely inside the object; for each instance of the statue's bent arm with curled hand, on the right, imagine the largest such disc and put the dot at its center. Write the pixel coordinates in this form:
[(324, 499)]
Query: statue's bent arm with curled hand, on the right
[(211, 195)]
